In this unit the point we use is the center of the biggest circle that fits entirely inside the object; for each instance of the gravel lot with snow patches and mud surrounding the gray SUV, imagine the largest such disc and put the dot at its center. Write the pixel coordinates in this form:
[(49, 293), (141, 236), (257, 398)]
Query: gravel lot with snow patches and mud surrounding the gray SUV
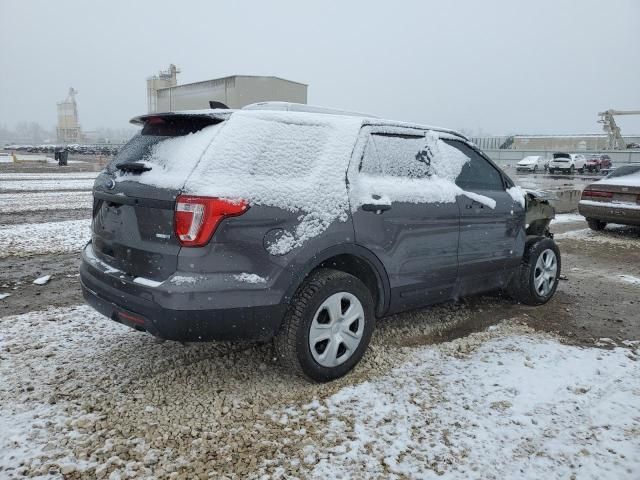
[(83, 397)]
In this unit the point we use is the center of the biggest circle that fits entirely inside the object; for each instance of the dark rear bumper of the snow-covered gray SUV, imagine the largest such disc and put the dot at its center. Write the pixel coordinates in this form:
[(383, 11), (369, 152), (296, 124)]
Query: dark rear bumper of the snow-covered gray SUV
[(136, 307)]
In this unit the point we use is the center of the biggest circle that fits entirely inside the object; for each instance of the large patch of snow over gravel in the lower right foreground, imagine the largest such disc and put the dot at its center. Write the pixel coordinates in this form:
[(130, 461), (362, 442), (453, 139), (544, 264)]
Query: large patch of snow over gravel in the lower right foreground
[(523, 406)]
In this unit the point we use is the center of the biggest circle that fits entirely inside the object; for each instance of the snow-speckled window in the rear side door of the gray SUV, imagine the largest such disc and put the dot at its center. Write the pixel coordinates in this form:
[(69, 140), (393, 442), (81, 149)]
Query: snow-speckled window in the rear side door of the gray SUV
[(394, 155)]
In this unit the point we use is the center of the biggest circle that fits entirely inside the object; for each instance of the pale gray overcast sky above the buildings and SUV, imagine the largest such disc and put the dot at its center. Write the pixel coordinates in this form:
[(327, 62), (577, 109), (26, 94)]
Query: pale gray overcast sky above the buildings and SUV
[(501, 67)]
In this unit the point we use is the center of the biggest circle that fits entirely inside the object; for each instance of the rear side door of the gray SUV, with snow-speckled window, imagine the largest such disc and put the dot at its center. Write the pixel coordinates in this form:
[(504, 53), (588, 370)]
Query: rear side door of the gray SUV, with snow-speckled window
[(416, 242)]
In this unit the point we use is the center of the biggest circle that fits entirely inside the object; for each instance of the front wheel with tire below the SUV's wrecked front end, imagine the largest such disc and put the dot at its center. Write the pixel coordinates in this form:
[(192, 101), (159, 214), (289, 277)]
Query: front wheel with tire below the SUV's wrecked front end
[(525, 286)]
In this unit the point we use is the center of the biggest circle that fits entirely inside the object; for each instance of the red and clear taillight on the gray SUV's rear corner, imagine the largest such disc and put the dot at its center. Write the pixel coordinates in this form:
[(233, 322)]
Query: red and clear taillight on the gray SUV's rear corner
[(196, 218)]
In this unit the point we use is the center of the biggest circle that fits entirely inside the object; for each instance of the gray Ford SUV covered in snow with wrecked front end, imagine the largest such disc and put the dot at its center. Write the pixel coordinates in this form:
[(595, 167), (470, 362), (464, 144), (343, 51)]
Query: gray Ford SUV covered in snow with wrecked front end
[(303, 225)]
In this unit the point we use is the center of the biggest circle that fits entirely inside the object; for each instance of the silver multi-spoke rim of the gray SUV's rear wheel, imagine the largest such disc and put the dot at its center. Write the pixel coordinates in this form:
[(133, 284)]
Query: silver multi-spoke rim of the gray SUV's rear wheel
[(336, 329)]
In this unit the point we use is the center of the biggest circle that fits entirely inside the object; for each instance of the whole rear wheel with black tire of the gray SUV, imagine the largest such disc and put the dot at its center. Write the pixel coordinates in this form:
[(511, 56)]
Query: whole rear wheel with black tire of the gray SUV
[(310, 309)]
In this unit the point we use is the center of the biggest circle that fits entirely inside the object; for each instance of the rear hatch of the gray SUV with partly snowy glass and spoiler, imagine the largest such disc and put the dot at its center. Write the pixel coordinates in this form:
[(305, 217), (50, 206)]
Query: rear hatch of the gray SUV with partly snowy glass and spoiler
[(133, 208)]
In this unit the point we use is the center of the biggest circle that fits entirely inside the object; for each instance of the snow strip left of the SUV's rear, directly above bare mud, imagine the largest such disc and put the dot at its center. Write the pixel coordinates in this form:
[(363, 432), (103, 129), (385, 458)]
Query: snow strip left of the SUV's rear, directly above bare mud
[(43, 238)]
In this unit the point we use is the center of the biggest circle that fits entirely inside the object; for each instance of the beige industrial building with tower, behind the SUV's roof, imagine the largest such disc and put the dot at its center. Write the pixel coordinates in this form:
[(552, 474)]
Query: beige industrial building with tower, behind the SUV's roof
[(164, 95)]
